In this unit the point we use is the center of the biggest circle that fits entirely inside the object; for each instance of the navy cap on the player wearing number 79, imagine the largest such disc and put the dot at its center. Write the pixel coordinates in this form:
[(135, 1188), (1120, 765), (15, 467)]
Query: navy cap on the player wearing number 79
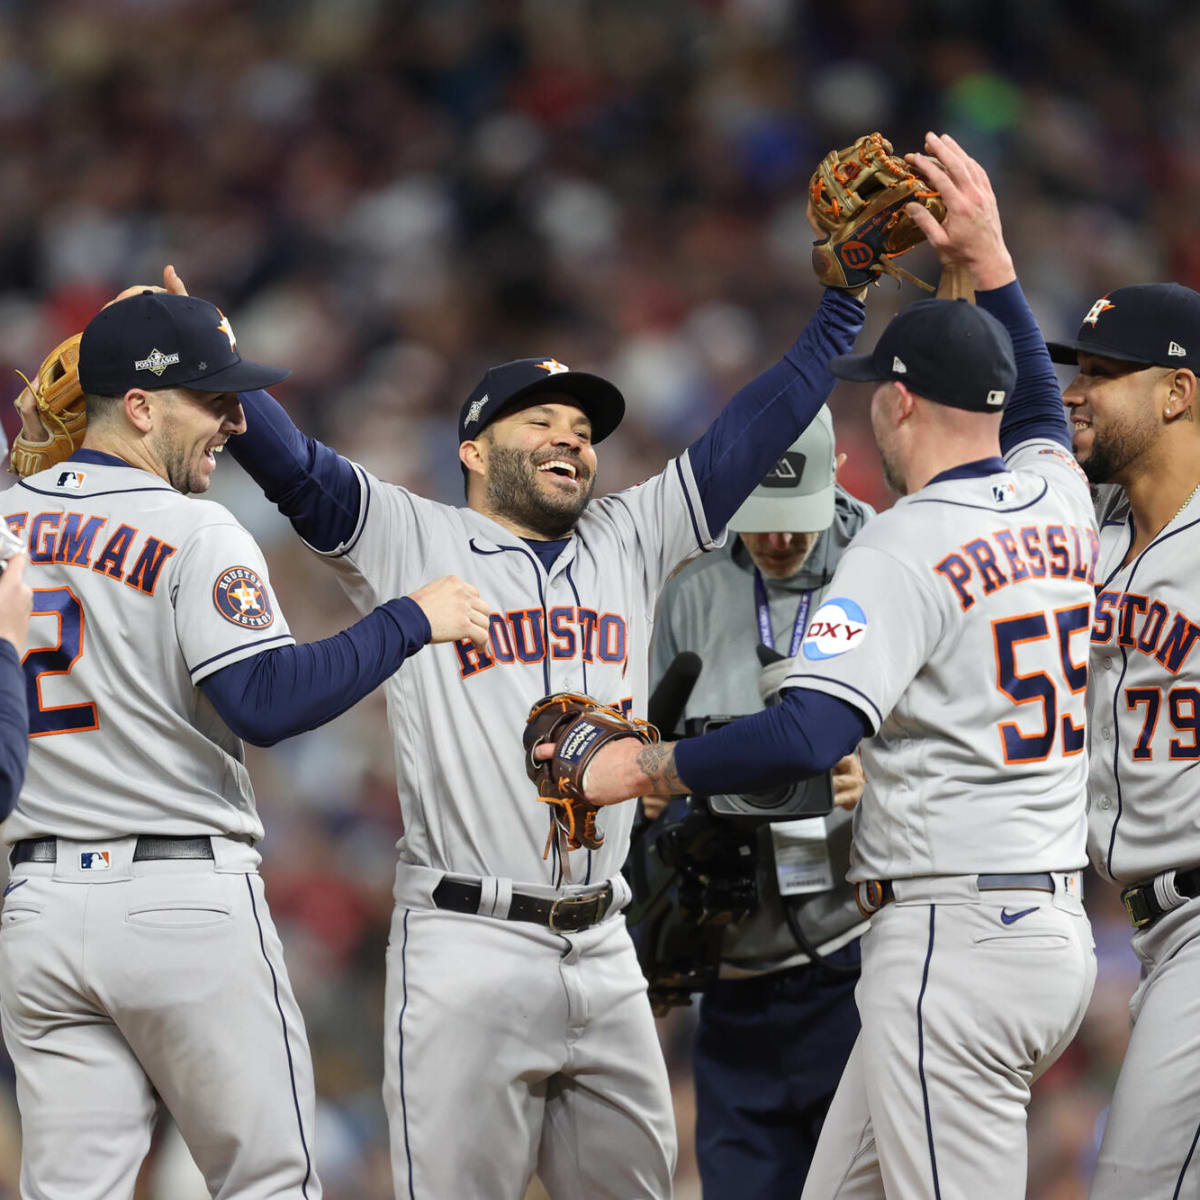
[(1154, 325)]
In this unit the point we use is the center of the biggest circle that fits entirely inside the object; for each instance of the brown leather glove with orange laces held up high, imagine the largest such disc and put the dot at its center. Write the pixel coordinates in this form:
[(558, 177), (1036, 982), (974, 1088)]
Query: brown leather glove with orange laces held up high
[(857, 199)]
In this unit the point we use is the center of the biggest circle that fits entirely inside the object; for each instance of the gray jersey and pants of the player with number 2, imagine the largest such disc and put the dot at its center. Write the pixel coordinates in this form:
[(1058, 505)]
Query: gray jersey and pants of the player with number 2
[(125, 976)]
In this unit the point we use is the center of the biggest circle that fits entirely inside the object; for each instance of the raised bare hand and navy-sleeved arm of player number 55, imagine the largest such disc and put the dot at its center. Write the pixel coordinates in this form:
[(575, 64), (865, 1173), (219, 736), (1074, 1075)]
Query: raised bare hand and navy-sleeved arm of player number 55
[(971, 237)]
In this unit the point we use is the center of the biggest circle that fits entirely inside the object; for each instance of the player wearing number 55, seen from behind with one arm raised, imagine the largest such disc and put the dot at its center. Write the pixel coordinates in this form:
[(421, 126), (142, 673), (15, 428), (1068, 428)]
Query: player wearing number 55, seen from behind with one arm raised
[(956, 643)]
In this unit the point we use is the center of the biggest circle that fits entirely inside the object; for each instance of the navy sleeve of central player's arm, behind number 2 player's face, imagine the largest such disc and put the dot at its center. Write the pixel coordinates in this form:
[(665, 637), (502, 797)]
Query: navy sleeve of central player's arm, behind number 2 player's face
[(314, 487)]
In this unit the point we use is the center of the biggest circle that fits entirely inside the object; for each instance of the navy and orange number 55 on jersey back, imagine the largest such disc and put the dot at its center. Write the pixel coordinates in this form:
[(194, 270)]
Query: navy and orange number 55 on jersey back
[(1039, 687)]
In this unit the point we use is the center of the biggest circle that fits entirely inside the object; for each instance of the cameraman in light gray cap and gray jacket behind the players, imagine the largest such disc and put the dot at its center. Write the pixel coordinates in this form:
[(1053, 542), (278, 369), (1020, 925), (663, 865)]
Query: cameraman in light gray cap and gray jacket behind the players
[(777, 1028)]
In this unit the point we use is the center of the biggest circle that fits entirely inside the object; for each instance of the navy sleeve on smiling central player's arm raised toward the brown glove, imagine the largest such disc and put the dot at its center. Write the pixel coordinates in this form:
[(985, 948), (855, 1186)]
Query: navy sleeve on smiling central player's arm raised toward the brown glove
[(771, 412)]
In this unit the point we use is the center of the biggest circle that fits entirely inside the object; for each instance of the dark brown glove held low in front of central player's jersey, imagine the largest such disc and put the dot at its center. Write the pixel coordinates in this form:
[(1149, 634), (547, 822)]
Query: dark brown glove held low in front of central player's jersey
[(578, 727)]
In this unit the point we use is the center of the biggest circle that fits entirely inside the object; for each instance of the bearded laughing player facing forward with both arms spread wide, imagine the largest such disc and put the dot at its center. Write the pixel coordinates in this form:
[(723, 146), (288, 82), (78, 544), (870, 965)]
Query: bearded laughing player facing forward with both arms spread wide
[(519, 1037)]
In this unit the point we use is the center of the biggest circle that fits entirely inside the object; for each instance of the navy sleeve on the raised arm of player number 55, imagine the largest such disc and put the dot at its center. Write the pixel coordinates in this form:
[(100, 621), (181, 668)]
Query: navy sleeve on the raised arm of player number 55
[(1036, 409)]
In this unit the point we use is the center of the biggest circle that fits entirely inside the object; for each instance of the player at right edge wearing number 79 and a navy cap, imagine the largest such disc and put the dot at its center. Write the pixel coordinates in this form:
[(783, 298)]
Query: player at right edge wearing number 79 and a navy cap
[(1133, 410)]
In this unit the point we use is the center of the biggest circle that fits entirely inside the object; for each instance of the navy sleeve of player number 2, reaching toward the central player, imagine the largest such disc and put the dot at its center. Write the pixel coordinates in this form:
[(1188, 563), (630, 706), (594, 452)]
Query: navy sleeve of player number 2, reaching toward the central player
[(290, 689)]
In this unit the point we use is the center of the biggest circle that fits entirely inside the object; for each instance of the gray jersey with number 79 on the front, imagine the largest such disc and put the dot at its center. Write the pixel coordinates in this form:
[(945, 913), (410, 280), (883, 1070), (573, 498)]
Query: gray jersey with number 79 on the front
[(1144, 698)]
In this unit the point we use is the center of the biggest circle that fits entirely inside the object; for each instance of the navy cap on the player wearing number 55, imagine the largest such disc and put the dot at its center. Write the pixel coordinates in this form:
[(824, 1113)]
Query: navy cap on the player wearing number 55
[(947, 351)]
